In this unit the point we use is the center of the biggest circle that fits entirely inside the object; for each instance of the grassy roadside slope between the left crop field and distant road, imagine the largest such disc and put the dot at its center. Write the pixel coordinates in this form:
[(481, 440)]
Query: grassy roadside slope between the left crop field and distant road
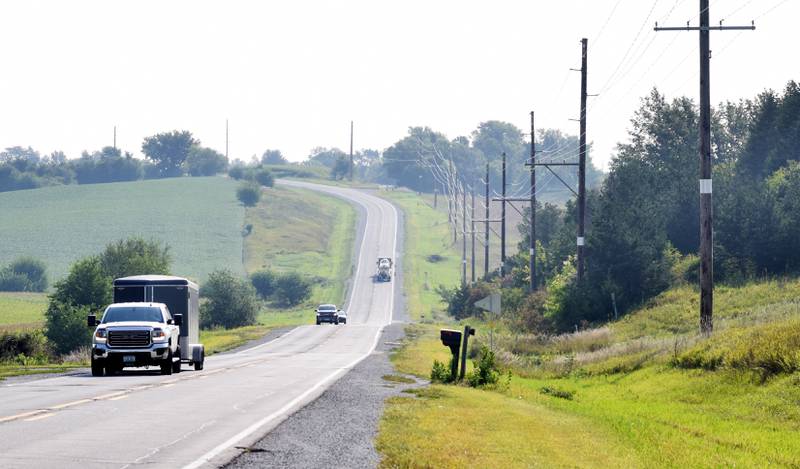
[(307, 232)]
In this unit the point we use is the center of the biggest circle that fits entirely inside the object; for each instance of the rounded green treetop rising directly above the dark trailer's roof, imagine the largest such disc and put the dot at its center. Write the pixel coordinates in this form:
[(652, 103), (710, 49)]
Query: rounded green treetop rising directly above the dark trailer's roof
[(135, 256)]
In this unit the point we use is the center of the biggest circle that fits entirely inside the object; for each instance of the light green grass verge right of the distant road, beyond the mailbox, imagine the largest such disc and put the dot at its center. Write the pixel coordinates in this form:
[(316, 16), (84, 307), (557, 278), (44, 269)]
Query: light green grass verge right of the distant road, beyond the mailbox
[(427, 233)]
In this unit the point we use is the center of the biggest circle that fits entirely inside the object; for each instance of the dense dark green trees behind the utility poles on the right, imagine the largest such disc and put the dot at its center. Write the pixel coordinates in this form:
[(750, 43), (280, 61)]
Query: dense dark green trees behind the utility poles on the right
[(642, 231)]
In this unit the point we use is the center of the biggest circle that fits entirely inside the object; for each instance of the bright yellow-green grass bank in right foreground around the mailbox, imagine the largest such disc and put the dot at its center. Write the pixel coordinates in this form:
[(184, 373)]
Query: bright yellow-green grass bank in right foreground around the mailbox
[(635, 393)]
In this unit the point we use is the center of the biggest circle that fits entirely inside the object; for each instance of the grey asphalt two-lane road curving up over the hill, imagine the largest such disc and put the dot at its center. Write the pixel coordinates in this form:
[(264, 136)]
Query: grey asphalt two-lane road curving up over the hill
[(196, 419)]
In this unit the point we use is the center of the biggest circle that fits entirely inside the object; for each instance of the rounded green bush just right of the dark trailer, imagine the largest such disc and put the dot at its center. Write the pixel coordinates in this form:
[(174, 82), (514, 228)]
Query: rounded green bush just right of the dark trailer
[(229, 301)]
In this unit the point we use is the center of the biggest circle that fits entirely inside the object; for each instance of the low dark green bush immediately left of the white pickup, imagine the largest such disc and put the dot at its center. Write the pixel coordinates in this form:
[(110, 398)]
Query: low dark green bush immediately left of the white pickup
[(66, 326)]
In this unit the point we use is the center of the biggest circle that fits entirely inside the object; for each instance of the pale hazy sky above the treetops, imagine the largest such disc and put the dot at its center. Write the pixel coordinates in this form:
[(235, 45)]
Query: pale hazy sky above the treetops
[(292, 74)]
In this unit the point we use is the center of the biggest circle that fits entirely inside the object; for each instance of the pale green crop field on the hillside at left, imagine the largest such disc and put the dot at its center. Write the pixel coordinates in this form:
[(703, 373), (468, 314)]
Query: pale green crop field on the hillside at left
[(199, 218)]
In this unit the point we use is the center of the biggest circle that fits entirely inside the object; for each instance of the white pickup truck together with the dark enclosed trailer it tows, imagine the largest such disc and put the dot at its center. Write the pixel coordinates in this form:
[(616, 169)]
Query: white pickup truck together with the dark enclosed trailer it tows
[(181, 299)]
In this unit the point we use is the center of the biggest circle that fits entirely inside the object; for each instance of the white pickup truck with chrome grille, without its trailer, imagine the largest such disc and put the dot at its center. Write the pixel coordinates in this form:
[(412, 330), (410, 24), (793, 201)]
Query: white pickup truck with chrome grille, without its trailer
[(136, 334)]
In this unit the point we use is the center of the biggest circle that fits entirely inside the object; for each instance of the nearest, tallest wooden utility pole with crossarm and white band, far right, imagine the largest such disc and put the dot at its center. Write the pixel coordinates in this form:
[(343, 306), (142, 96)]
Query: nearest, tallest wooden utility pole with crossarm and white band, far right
[(706, 214)]
